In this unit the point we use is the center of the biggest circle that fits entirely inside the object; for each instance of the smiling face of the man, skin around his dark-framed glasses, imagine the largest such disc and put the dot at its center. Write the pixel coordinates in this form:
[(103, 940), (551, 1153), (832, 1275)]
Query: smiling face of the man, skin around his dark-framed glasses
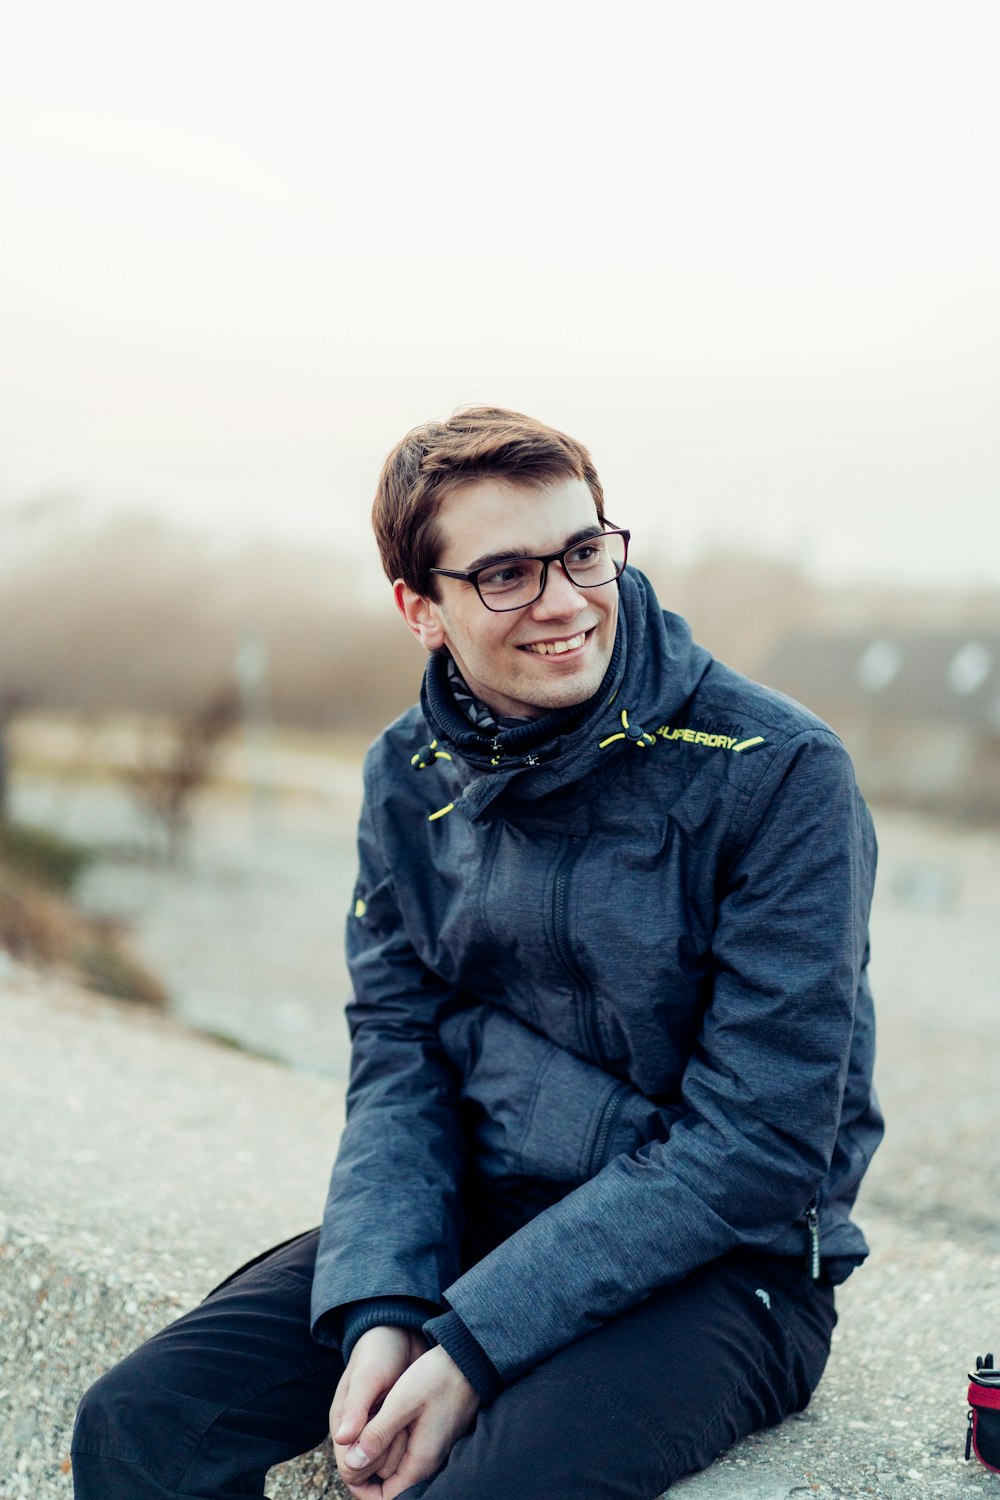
[(509, 659)]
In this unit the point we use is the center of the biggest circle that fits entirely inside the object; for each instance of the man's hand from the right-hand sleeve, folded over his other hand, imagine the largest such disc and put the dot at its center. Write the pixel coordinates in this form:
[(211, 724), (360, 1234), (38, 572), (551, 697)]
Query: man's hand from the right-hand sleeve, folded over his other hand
[(415, 1430)]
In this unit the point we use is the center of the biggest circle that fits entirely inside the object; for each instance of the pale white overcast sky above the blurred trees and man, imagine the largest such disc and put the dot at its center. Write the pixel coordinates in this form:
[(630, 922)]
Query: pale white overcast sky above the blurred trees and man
[(747, 253)]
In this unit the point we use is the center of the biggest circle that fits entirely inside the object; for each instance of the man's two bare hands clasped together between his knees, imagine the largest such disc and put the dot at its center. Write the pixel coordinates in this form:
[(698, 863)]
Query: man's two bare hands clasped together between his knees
[(397, 1414)]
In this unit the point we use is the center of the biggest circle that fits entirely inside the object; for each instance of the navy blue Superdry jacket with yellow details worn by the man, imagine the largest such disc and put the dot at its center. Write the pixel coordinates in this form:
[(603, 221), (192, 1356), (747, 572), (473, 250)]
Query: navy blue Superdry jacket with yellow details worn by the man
[(614, 961)]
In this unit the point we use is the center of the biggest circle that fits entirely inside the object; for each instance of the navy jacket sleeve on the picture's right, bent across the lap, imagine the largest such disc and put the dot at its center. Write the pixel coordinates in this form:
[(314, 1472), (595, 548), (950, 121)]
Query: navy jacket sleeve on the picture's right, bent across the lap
[(762, 1091)]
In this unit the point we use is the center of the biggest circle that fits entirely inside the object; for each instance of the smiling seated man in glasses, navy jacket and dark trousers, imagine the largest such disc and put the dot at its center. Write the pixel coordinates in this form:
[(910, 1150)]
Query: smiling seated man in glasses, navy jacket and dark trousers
[(612, 1039)]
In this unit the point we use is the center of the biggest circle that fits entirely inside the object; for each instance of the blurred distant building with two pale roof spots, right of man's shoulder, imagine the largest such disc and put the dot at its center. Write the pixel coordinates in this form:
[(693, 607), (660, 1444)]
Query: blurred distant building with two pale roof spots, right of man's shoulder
[(920, 712)]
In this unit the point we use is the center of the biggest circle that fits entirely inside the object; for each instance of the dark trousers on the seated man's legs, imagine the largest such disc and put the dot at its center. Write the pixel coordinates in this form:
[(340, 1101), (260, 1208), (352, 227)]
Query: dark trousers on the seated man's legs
[(209, 1405)]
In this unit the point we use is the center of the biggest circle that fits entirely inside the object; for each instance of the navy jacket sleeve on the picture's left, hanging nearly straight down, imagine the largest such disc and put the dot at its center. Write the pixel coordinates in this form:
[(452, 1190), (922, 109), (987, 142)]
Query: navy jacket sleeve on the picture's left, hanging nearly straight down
[(392, 1219)]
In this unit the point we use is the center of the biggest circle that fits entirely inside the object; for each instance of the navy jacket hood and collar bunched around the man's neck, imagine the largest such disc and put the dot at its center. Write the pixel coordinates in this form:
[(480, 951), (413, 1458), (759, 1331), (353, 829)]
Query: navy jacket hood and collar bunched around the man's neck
[(654, 671)]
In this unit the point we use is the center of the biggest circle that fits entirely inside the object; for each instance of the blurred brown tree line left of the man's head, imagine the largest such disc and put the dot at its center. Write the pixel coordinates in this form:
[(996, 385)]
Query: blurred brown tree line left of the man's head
[(137, 616)]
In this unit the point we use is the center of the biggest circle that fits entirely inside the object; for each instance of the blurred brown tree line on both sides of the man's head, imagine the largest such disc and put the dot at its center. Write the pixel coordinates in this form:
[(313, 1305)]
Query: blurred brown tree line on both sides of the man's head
[(137, 616)]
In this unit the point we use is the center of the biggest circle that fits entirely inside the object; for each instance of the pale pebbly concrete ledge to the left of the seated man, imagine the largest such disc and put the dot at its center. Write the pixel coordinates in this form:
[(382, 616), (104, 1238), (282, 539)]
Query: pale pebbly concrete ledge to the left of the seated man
[(142, 1165)]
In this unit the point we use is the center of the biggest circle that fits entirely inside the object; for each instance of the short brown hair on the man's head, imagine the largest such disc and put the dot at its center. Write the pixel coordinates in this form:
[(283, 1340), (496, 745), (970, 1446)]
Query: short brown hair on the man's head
[(442, 457)]
